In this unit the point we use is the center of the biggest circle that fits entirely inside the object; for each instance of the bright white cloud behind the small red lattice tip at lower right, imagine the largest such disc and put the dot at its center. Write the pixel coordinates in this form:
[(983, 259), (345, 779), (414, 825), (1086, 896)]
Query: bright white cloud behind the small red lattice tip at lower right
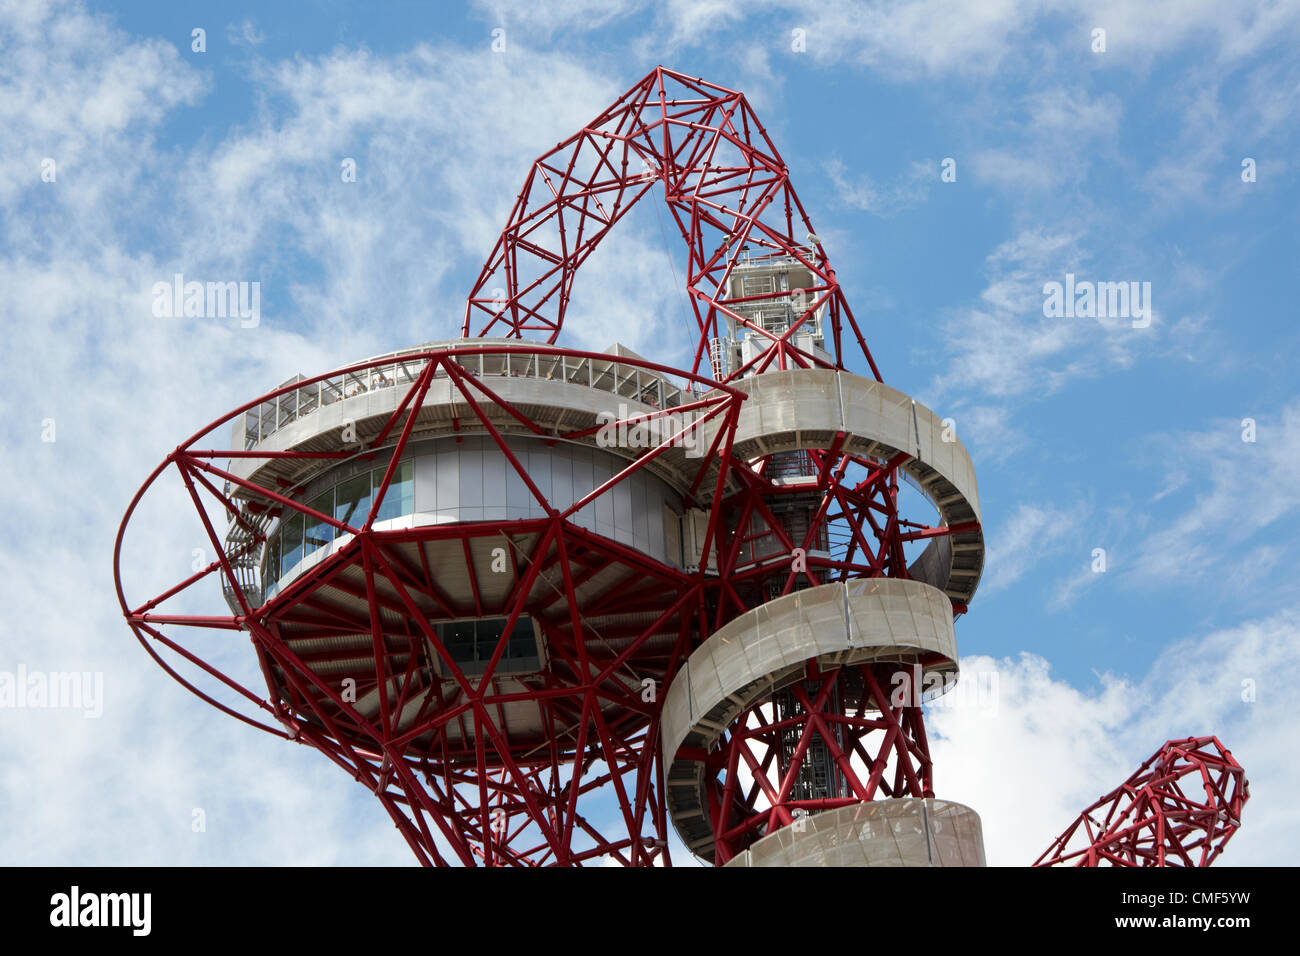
[(1048, 750)]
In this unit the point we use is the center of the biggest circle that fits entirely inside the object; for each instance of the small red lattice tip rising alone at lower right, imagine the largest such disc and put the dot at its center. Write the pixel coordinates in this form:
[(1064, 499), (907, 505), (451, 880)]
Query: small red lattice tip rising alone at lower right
[(1178, 810)]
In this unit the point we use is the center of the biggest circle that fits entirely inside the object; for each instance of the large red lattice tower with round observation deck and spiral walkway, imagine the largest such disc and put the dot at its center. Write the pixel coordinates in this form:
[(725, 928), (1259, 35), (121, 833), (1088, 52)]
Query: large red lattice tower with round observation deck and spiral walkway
[(539, 644)]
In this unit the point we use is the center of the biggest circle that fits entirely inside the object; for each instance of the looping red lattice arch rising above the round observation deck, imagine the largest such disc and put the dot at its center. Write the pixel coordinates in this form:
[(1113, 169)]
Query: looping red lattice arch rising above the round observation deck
[(726, 187)]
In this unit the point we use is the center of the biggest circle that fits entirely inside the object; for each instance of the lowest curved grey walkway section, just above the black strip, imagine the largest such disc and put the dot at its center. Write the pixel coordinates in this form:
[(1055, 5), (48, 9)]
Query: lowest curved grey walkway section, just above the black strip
[(908, 832)]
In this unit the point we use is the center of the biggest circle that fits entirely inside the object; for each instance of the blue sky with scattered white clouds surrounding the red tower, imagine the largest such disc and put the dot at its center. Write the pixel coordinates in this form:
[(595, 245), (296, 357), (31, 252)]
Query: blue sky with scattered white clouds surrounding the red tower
[(1116, 166)]
